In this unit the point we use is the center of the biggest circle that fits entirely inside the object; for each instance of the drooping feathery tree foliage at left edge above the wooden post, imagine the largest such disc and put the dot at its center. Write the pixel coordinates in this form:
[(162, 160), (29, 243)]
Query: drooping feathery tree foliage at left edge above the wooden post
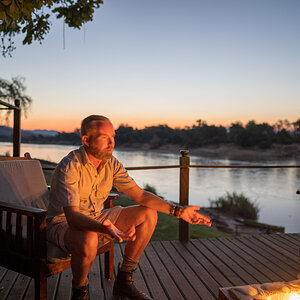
[(10, 91)]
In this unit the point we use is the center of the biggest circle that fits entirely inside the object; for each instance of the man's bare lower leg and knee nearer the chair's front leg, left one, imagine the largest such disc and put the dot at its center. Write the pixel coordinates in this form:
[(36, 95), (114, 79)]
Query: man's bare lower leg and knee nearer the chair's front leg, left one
[(83, 247)]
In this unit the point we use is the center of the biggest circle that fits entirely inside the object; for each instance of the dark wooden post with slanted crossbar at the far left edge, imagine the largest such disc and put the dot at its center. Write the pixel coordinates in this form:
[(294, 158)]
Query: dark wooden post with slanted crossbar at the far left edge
[(17, 124)]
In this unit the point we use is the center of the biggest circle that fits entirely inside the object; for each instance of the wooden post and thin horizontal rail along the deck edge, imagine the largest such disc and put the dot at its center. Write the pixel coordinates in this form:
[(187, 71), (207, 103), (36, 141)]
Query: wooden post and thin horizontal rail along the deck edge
[(184, 166)]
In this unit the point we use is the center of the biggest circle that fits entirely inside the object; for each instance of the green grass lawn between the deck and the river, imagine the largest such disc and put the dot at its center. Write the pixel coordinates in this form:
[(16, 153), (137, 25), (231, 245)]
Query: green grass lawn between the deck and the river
[(167, 227)]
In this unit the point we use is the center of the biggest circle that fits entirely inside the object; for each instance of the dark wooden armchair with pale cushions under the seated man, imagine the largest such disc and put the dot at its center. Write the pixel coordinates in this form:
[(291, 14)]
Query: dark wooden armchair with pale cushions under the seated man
[(23, 245)]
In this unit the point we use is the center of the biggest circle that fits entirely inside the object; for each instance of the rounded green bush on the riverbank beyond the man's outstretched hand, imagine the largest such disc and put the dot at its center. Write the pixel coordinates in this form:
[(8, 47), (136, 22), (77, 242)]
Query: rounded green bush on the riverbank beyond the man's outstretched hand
[(237, 205)]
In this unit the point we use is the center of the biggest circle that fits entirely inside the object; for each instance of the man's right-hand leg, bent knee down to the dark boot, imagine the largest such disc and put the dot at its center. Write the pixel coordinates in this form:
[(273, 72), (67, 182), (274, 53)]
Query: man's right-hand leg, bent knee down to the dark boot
[(144, 219)]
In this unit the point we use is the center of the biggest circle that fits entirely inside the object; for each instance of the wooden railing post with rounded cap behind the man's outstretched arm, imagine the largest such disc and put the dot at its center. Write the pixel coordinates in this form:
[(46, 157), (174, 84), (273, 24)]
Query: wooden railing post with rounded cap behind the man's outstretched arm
[(184, 162)]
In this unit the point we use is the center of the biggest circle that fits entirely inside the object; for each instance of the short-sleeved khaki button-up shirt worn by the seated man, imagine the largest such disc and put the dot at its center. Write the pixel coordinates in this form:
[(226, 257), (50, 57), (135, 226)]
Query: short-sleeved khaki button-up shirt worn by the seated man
[(76, 182)]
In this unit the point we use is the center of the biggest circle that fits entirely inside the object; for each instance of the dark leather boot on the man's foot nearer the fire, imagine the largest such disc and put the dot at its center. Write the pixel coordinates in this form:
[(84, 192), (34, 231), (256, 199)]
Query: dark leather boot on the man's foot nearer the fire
[(124, 287)]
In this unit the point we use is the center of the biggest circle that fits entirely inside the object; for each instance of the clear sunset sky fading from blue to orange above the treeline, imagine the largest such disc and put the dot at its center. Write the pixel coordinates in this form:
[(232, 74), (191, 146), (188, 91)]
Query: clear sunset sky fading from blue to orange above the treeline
[(166, 62)]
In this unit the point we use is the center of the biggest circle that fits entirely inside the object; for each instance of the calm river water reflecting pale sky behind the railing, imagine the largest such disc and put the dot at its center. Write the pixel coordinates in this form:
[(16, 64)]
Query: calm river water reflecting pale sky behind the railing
[(274, 190)]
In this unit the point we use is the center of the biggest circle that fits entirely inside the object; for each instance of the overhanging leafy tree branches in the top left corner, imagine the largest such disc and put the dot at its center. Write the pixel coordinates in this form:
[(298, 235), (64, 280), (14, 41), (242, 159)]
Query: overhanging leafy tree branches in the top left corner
[(32, 19)]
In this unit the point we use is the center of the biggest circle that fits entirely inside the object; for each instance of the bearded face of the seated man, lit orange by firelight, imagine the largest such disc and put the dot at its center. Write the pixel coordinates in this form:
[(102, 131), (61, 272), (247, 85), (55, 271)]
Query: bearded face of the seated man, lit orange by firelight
[(102, 141)]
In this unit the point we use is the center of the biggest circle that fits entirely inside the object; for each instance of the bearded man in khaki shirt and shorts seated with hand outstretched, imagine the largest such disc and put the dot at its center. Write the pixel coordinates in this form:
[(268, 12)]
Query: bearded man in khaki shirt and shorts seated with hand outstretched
[(77, 221)]
